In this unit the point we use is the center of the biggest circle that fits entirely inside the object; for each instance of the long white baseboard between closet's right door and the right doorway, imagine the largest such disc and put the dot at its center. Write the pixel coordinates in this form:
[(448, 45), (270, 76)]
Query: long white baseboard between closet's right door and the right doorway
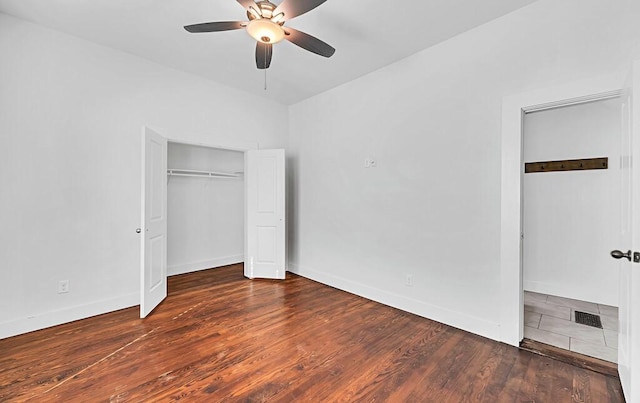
[(440, 314)]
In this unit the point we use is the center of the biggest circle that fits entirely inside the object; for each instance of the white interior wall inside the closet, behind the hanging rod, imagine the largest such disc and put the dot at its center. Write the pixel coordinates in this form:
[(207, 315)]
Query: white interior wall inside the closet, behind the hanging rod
[(205, 216)]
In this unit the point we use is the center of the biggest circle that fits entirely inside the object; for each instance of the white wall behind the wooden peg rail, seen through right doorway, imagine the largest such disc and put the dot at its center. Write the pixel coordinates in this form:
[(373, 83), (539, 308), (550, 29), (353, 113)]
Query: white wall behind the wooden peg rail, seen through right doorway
[(572, 219)]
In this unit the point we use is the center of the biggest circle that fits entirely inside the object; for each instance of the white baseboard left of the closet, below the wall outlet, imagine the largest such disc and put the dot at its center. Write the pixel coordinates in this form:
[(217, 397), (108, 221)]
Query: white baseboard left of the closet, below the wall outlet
[(54, 318)]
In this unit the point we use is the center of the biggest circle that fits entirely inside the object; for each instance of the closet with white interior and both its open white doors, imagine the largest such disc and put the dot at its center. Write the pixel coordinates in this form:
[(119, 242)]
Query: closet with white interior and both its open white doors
[(206, 206)]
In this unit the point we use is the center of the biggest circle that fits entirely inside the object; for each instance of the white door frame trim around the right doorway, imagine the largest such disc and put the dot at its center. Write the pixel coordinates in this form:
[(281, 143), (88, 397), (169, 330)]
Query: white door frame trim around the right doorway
[(514, 108)]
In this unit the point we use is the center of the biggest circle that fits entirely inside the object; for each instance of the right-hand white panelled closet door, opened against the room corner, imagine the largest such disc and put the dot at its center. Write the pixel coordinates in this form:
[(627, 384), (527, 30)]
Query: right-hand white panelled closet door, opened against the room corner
[(264, 255)]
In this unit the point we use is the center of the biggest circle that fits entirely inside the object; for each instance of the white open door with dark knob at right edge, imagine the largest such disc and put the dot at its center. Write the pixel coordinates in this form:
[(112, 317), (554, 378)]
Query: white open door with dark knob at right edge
[(629, 309)]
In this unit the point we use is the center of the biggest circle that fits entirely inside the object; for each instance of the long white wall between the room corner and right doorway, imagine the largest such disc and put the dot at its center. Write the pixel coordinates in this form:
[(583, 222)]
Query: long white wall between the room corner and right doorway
[(431, 208)]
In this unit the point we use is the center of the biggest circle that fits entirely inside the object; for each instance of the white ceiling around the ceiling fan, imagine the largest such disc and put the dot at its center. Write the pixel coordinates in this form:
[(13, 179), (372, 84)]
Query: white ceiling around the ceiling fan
[(367, 35)]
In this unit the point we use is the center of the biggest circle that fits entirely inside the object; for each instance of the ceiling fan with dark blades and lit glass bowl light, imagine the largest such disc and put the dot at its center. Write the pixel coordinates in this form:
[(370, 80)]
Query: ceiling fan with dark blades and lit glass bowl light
[(266, 25)]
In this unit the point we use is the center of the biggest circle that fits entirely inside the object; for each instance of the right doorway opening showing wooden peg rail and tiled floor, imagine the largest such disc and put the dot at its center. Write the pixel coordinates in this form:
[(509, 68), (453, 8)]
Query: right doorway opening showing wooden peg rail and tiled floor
[(570, 221)]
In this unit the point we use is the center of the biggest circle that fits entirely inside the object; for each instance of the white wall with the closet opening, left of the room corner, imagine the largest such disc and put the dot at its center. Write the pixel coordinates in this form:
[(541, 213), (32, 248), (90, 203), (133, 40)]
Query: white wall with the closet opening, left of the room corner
[(71, 118)]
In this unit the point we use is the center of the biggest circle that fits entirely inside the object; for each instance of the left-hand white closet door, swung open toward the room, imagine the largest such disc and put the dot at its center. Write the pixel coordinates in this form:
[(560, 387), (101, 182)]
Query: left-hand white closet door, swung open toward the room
[(153, 281)]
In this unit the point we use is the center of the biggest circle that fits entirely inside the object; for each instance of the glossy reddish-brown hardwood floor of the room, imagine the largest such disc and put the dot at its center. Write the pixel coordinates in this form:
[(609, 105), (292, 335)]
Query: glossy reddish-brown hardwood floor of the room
[(221, 337)]
